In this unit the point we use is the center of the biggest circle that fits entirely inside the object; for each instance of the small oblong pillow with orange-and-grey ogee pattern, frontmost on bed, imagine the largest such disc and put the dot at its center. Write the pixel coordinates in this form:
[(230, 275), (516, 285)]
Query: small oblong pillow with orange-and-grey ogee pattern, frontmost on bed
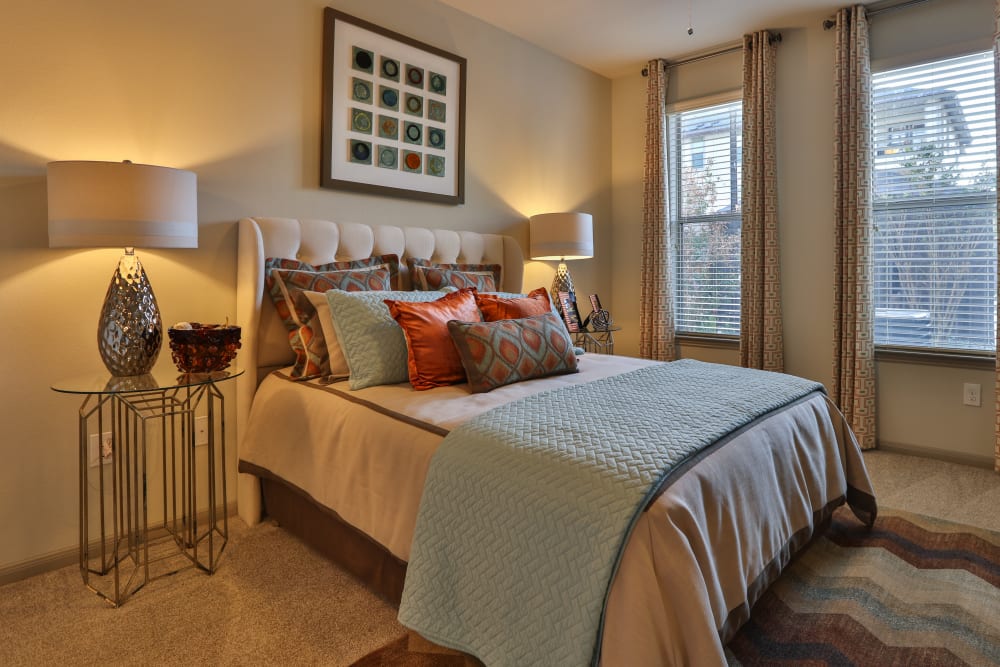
[(507, 351)]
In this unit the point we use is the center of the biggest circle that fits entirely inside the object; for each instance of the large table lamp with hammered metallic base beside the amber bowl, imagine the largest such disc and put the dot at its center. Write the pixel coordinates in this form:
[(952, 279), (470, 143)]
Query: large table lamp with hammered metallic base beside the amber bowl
[(106, 204)]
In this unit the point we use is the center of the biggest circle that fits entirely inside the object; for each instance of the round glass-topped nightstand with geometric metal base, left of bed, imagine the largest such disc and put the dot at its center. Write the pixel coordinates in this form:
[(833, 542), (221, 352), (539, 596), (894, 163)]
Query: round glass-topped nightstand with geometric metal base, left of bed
[(152, 456)]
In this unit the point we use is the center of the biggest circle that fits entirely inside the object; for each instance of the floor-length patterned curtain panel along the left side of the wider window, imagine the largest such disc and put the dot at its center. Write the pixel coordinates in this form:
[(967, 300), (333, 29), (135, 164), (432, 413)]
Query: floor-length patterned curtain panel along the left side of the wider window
[(854, 348)]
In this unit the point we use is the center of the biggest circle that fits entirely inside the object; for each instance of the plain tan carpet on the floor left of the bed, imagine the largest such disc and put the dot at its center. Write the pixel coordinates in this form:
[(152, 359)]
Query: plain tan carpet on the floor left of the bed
[(273, 601)]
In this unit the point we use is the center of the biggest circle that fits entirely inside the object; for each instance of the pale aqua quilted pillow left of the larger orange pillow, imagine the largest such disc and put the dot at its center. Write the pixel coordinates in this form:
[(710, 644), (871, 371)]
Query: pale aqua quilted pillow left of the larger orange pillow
[(373, 344)]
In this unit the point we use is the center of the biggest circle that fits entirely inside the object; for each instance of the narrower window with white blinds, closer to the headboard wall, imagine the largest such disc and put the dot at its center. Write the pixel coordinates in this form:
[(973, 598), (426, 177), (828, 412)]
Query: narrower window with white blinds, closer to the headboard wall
[(705, 171)]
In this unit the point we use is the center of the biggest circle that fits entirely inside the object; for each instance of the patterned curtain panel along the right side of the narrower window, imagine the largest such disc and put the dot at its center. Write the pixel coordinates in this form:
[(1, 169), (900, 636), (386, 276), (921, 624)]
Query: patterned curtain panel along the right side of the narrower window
[(761, 341)]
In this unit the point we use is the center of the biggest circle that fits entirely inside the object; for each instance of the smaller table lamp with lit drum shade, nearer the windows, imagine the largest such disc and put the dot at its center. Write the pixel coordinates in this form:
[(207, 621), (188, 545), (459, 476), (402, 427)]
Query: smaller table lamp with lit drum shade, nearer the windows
[(561, 236)]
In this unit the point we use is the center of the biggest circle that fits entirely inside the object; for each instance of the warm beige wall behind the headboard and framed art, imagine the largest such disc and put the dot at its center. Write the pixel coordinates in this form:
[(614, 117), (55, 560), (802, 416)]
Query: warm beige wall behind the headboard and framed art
[(231, 90)]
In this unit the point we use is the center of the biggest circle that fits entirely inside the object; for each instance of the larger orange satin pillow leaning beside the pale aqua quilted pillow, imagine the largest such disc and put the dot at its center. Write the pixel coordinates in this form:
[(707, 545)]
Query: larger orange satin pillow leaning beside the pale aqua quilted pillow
[(432, 360)]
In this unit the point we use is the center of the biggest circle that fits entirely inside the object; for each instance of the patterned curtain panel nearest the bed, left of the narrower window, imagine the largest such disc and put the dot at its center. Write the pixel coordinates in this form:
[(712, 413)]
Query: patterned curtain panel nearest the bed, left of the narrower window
[(656, 310)]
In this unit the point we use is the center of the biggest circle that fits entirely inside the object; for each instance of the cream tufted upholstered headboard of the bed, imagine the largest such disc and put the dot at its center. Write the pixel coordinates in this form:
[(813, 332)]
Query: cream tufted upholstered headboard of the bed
[(265, 341)]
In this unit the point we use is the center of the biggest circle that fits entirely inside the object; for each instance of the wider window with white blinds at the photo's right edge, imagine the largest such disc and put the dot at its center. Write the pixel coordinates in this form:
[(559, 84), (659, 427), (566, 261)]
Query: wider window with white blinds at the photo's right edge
[(934, 176)]
